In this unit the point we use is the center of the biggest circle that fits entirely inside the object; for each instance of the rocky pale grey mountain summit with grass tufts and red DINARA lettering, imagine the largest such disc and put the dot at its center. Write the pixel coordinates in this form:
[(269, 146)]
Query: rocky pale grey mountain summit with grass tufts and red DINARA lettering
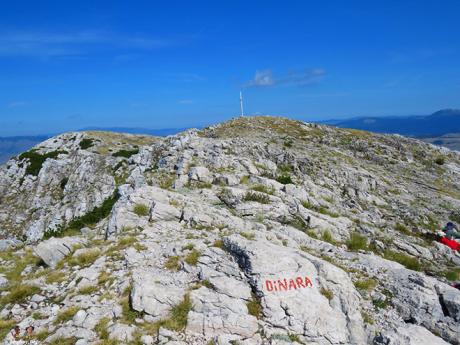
[(259, 230)]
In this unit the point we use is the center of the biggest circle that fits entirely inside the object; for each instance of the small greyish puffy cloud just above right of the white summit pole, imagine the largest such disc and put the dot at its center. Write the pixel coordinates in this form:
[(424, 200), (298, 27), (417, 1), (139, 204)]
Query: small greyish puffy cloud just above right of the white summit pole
[(265, 78)]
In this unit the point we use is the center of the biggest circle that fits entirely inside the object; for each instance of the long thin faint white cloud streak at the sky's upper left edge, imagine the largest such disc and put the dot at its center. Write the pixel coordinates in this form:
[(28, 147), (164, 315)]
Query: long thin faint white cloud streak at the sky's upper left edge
[(49, 44)]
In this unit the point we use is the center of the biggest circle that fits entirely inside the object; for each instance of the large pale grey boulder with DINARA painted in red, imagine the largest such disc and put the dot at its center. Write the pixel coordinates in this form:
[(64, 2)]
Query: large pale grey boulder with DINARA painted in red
[(300, 293)]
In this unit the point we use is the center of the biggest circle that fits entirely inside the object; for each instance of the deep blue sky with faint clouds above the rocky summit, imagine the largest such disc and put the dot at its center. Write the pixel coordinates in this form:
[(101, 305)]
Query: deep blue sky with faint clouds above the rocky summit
[(66, 65)]
